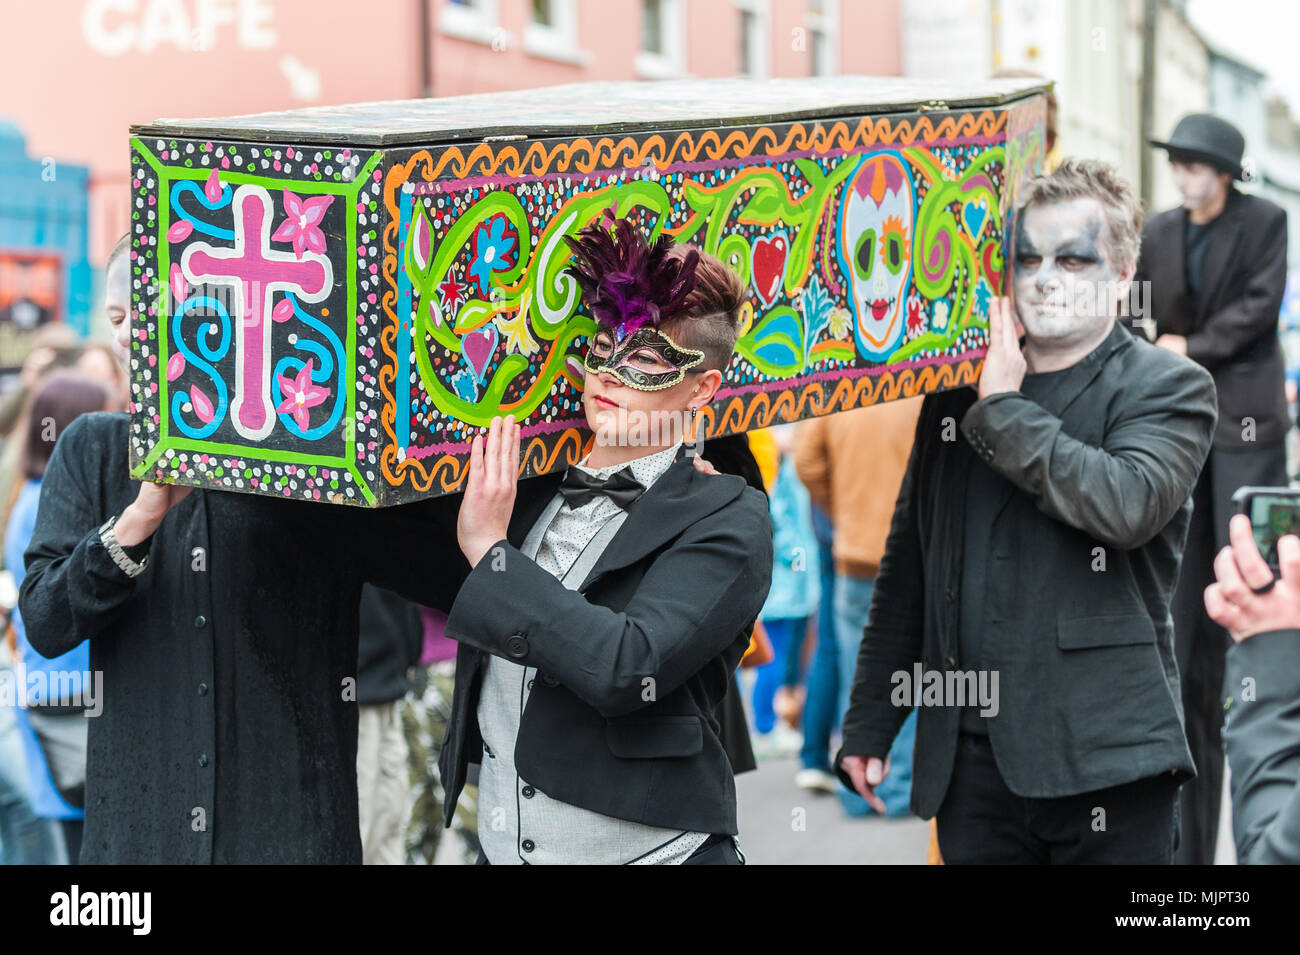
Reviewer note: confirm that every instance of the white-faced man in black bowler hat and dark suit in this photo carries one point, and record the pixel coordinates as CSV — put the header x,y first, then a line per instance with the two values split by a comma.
x,y
1216,268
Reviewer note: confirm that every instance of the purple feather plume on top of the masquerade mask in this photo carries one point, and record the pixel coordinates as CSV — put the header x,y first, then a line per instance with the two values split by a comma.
x,y
625,280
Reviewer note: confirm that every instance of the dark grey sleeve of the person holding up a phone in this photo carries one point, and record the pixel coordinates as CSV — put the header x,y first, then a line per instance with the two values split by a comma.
x,y
1263,736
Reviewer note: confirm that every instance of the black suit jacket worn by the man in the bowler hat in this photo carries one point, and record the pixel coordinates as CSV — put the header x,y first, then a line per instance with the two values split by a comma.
x,y
1233,328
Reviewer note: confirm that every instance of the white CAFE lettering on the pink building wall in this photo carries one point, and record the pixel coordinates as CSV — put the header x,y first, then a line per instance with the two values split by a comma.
x,y
116,28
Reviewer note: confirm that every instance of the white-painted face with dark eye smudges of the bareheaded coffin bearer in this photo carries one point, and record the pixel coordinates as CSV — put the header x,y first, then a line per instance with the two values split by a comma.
x,y
1068,285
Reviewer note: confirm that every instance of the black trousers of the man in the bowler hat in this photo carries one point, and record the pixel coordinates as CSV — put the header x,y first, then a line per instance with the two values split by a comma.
x,y
1201,645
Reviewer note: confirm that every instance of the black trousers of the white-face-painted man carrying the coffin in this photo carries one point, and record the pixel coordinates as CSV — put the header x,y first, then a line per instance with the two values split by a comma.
x,y
982,822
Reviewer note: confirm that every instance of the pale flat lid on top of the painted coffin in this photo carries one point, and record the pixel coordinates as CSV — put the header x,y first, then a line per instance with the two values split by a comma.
x,y
601,108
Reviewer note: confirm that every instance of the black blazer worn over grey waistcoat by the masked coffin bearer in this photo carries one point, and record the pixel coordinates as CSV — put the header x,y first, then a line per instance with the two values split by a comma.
x,y
632,665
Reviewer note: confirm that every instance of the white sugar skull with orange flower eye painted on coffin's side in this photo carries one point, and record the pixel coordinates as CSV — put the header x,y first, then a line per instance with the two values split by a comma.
x,y
876,250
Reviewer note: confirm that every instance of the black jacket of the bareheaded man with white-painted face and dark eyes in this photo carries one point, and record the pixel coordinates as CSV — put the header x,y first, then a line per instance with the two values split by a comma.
x,y
1087,681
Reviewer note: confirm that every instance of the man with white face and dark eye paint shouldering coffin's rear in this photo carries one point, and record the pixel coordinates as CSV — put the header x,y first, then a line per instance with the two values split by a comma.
x,y
1041,549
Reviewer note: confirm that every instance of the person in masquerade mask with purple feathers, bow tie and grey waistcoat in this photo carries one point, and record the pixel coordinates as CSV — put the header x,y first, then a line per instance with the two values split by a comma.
x,y
609,606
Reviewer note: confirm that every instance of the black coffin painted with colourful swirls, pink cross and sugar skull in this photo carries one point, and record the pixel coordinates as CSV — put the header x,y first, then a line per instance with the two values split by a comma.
x,y
330,303
